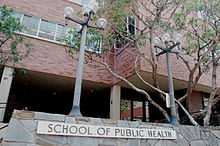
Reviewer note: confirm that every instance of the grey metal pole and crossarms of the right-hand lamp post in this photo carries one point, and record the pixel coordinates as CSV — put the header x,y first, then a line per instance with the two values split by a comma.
x,y
167,51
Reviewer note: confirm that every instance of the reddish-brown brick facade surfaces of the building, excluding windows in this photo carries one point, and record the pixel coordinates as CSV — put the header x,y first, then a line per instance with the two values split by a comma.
x,y
52,58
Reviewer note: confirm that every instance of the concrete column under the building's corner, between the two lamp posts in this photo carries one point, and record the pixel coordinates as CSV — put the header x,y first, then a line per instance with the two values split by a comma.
x,y
115,102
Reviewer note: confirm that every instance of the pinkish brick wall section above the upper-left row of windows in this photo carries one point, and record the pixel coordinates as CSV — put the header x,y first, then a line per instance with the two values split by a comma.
x,y
48,9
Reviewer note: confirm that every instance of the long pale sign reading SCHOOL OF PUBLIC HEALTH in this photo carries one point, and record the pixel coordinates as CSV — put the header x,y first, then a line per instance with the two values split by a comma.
x,y
64,129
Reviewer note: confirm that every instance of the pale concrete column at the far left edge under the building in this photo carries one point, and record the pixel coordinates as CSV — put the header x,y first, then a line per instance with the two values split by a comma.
x,y
5,86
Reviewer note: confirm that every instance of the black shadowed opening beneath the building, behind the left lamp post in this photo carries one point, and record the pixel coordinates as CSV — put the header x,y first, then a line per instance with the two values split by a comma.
x,y
30,96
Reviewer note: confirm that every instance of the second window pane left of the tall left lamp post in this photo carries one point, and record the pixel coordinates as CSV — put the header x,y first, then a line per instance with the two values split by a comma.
x,y
47,29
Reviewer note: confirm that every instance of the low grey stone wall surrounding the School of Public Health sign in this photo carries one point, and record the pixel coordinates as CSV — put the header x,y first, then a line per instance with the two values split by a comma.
x,y
22,131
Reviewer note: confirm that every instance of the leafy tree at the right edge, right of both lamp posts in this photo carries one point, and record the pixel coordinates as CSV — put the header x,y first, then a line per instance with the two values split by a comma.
x,y
200,22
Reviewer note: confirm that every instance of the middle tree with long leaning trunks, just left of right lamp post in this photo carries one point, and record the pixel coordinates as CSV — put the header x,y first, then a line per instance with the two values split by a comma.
x,y
155,19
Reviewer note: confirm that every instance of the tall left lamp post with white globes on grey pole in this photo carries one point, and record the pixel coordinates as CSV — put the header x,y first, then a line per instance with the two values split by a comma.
x,y
89,11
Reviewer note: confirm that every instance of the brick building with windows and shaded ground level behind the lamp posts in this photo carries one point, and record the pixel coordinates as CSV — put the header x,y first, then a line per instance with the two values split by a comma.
x,y
44,81
